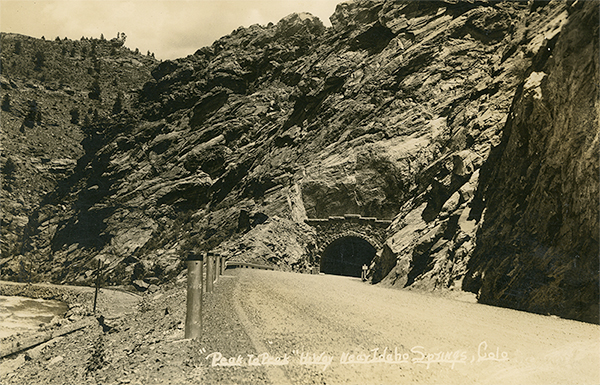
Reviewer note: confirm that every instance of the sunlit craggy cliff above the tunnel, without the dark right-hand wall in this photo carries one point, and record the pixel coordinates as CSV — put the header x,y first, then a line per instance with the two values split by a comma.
x,y
390,113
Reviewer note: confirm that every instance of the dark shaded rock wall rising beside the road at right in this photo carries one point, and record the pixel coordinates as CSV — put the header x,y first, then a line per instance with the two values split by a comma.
x,y
537,249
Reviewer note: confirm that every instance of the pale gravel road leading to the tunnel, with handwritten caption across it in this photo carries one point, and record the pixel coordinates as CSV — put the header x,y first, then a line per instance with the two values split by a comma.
x,y
338,330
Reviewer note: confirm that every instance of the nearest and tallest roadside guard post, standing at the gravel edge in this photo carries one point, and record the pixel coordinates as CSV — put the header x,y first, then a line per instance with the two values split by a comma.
x,y
193,317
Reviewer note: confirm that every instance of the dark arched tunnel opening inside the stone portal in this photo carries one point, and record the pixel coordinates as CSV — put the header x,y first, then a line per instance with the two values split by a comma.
x,y
346,256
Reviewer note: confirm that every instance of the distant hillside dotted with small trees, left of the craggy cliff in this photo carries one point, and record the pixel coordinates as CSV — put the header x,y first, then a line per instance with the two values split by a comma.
x,y
52,91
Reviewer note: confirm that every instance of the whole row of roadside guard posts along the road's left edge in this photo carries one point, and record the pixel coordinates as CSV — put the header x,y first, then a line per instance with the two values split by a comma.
x,y
215,266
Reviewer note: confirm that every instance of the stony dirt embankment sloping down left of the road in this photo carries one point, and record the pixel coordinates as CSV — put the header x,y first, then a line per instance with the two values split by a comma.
x,y
138,343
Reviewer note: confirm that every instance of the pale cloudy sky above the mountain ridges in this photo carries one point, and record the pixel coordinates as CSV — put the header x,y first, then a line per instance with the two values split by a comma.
x,y
169,28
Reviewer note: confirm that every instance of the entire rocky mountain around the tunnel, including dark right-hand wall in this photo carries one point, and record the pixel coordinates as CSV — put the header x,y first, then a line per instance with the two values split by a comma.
x,y
401,110
